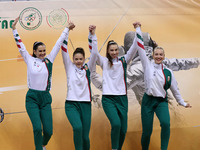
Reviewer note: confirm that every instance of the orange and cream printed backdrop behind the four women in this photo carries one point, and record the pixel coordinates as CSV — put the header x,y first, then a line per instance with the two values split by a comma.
x,y
174,24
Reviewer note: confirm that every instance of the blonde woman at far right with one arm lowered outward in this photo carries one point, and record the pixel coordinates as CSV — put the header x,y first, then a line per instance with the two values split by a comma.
x,y
158,79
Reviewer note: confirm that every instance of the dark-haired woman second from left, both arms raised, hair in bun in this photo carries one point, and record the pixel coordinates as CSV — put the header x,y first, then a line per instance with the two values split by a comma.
x,y
78,101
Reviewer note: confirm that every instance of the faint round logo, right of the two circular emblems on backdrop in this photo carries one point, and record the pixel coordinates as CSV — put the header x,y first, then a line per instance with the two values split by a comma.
x,y
57,18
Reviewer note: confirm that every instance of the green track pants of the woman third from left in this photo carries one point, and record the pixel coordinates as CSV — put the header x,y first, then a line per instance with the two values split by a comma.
x,y
116,109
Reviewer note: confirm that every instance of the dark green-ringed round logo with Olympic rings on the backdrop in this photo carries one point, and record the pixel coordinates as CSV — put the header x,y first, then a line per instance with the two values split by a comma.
x,y
30,18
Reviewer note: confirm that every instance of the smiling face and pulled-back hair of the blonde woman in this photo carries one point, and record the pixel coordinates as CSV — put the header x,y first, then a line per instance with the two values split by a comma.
x,y
158,55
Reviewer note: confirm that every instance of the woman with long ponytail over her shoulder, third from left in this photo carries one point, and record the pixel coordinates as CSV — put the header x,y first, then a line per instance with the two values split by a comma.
x,y
114,96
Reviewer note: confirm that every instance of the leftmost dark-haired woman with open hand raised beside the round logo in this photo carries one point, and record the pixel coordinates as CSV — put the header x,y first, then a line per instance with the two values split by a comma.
x,y
38,98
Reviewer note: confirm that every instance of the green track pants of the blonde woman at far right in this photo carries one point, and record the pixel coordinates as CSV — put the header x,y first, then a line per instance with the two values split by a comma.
x,y
158,105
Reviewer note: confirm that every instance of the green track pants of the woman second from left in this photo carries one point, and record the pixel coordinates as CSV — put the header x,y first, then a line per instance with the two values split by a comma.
x,y
79,116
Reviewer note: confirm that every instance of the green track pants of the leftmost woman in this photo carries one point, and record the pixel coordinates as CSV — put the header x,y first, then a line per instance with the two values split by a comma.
x,y
38,107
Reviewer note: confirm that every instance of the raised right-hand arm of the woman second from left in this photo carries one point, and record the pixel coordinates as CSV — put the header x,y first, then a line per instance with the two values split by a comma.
x,y
92,39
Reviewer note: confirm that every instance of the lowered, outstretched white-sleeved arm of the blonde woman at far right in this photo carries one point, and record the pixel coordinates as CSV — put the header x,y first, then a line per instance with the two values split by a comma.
x,y
176,93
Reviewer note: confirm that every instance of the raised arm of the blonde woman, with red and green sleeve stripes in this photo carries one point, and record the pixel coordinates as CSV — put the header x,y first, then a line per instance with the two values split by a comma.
x,y
140,44
